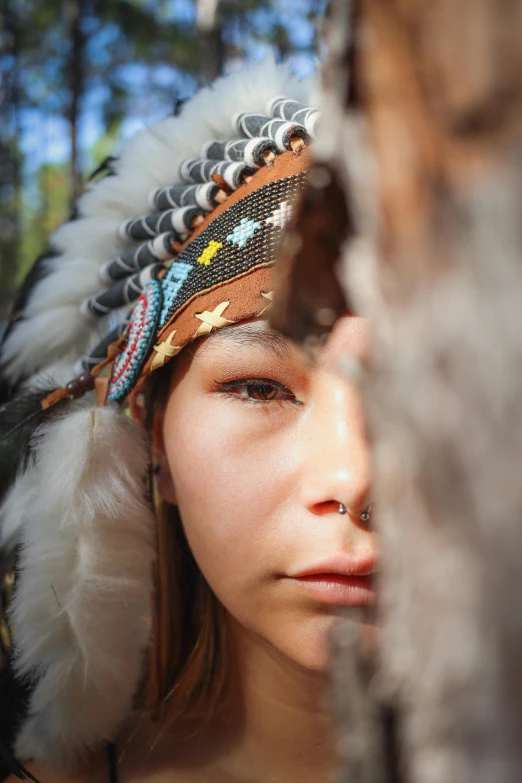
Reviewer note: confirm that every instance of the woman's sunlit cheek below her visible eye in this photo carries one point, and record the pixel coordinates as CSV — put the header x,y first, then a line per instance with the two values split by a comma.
x,y
233,471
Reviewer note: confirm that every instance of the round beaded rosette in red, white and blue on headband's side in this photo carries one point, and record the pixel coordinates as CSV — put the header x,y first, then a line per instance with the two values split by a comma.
x,y
140,338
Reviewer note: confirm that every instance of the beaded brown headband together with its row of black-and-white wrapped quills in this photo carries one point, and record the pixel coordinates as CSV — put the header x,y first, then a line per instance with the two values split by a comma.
x,y
220,226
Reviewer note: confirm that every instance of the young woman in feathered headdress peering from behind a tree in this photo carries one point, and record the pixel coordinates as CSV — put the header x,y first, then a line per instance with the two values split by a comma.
x,y
177,629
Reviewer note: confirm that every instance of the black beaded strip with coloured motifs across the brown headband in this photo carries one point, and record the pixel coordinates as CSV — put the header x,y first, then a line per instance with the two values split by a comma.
x,y
233,258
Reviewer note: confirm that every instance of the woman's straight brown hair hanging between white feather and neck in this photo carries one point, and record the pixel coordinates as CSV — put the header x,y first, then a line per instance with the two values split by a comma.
x,y
187,671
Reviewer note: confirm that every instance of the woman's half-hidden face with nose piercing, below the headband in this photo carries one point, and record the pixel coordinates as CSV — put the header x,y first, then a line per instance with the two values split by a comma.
x,y
262,448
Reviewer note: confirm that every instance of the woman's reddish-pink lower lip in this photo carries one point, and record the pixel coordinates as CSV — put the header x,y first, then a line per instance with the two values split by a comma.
x,y
338,590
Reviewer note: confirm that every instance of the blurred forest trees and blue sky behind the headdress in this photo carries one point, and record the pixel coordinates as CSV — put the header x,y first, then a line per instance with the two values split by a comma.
x,y
78,77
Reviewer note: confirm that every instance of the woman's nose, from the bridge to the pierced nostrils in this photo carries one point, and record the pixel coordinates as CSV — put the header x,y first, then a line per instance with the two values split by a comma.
x,y
337,466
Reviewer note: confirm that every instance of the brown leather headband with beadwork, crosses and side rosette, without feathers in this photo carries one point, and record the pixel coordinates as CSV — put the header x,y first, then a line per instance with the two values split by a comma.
x,y
220,277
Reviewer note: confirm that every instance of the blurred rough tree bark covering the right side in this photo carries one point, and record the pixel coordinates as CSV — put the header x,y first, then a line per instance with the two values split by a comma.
x,y
435,186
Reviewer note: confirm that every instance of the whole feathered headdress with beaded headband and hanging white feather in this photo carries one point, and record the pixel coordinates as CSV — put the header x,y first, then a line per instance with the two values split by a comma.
x,y
178,241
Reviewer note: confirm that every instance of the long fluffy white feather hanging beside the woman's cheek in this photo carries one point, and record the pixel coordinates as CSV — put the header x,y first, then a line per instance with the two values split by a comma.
x,y
82,602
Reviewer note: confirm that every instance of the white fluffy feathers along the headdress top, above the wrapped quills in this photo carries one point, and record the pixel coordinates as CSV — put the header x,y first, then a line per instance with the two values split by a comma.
x,y
53,326
